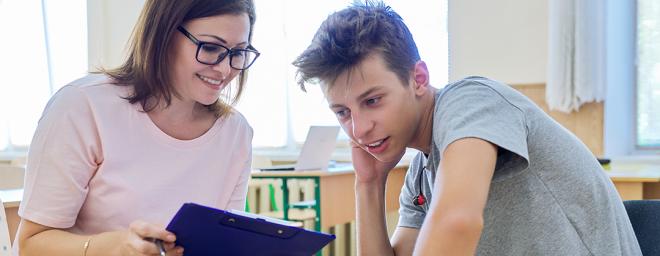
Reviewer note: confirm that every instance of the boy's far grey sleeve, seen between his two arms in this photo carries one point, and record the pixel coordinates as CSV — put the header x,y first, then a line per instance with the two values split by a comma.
x,y
410,215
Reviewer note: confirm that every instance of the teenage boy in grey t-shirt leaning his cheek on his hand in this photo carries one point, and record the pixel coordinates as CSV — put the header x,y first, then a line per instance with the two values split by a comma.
x,y
495,175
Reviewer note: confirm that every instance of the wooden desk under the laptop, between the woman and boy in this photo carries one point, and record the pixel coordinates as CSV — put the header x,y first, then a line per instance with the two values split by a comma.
x,y
335,193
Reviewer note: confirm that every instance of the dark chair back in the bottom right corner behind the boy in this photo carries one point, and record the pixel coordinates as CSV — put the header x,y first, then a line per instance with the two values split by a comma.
x,y
645,218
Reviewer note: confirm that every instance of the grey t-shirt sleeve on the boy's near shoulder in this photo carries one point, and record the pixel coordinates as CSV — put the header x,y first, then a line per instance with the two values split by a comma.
x,y
476,110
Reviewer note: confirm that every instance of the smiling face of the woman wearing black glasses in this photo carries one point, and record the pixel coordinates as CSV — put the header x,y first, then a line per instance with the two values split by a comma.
x,y
202,83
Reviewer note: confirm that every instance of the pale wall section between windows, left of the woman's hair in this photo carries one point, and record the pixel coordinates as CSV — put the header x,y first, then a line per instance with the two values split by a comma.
x,y
110,25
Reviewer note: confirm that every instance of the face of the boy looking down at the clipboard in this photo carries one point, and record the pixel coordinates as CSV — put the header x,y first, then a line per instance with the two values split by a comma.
x,y
374,108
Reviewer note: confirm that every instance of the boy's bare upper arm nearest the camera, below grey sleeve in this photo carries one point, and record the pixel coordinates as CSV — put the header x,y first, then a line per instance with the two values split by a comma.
x,y
455,220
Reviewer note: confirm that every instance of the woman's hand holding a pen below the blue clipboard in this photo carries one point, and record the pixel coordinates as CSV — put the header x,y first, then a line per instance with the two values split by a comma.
x,y
138,240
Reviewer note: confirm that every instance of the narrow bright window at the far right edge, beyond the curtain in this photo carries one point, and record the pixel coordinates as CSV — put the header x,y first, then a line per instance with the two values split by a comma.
x,y
648,74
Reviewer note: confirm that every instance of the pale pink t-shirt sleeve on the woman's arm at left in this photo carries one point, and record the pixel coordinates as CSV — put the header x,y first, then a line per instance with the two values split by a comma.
x,y
64,154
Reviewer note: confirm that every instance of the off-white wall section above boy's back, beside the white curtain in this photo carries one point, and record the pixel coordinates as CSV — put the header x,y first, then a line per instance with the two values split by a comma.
x,y
505,40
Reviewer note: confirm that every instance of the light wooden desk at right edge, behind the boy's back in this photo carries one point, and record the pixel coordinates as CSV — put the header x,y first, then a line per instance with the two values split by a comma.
x,y
637,184
